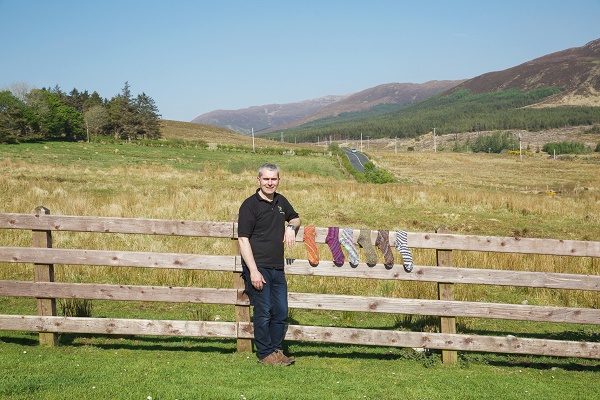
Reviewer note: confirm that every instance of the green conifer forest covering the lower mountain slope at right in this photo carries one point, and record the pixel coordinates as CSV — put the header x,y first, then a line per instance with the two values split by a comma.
x,y
460,111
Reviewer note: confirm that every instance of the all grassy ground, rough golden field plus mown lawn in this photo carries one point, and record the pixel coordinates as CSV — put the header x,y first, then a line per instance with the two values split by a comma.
x,y
481,194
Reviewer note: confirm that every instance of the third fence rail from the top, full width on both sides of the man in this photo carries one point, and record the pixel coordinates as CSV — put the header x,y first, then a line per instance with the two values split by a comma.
x,y
304,300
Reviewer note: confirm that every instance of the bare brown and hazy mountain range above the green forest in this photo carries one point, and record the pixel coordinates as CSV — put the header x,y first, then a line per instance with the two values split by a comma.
x,y
575,71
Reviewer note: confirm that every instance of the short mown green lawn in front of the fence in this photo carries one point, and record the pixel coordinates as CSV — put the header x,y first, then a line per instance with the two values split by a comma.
x,y
184,368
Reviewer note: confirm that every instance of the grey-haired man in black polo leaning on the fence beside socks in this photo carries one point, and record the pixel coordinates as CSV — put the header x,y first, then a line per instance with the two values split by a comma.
x,y
262,233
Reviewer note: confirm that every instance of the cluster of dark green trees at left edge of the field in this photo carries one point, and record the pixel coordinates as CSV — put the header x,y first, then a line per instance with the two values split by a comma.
x,y
28,114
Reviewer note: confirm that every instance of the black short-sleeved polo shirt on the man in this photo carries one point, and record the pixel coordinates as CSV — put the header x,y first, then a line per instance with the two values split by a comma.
x,y
263,222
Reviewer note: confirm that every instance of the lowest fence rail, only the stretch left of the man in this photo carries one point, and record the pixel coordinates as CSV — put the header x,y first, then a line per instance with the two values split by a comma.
x,y
116,326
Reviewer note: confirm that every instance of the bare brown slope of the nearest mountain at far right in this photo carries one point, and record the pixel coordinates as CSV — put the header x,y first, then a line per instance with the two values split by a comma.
x,y
576,70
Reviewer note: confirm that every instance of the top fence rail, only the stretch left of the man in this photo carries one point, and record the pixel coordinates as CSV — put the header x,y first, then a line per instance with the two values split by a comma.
x,y
116,225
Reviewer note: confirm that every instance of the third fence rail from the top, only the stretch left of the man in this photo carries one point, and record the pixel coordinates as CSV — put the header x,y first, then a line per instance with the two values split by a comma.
x,y
93,291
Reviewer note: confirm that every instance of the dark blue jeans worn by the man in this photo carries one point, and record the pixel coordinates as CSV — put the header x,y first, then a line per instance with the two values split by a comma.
x,y
270,310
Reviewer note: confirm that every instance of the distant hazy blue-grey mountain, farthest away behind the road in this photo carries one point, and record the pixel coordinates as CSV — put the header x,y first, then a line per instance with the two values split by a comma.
x,y
264,117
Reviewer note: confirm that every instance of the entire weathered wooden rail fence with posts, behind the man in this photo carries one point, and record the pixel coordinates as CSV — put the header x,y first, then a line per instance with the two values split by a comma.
x,y
46,290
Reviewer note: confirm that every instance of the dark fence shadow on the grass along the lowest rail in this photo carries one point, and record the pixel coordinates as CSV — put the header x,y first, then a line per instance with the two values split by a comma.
x,y
428,357
